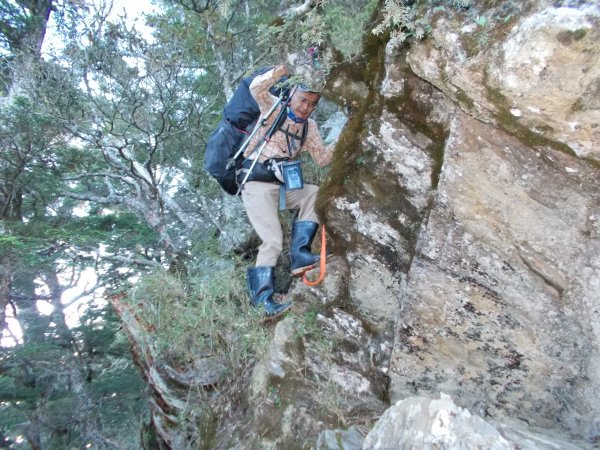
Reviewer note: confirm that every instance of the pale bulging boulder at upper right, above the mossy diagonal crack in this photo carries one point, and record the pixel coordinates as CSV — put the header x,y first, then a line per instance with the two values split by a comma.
x,y
540,75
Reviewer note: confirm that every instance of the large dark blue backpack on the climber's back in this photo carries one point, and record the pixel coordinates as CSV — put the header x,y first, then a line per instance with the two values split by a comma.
x,y
240,115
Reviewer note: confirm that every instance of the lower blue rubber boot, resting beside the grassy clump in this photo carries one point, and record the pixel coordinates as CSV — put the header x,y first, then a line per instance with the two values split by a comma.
x,y
261,284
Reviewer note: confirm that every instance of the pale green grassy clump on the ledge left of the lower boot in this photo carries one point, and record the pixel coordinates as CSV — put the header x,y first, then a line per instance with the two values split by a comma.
x,y
208,316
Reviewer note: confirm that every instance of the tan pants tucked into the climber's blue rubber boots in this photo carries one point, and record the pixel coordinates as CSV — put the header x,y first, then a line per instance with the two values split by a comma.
x,y
261,201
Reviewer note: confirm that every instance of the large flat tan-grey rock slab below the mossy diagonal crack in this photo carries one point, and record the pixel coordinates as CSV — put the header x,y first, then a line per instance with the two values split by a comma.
x,y
502,272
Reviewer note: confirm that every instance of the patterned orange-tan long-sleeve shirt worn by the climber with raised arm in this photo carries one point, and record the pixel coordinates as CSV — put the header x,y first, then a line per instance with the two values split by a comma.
x,y
277,146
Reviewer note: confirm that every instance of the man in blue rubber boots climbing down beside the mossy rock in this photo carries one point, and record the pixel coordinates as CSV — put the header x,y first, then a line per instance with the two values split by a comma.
x,y
266,188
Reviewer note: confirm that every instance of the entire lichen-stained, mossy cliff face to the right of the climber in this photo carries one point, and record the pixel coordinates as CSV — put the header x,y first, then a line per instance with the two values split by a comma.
x,y
464,211
